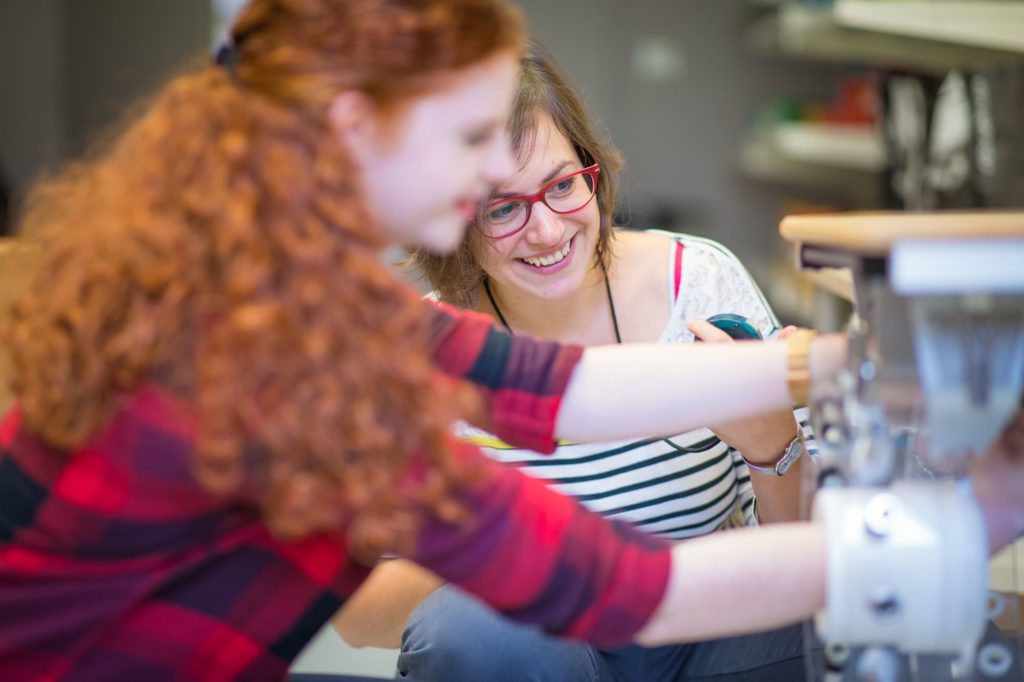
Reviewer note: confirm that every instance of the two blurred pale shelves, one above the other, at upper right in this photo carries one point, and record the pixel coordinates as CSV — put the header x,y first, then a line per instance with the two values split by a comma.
x,y
927,36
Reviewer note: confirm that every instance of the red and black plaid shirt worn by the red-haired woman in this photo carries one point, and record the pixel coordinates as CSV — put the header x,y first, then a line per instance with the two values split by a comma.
x,y
116,565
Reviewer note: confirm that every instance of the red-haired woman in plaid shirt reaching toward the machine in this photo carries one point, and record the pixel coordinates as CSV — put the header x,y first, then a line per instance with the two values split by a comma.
x,y
227,404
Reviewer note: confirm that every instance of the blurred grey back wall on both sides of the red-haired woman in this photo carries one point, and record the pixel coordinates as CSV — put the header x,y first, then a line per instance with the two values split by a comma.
x,y
70,67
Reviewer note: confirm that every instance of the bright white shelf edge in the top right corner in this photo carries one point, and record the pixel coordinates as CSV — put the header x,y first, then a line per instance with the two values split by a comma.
x,y
998,26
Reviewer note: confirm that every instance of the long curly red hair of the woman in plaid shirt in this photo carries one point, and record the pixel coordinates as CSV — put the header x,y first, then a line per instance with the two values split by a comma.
x,y
221,248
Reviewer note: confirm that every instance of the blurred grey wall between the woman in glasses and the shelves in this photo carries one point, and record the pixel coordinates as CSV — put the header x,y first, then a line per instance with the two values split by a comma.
x,y
680,138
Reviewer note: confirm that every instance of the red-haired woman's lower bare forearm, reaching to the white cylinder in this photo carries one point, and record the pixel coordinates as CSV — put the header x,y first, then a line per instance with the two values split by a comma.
x,y
740,582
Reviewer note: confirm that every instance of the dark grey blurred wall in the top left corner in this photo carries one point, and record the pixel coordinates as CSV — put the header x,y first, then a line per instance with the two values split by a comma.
x,y
69,68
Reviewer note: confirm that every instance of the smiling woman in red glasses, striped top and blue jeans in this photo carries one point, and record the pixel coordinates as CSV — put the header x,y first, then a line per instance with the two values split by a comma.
x,y
544,260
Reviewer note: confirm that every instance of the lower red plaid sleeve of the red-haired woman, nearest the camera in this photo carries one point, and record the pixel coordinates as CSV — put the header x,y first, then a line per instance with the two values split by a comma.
x,y
541,558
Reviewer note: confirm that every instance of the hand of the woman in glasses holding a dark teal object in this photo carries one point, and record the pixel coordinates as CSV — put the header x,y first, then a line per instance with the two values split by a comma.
x,y
763,439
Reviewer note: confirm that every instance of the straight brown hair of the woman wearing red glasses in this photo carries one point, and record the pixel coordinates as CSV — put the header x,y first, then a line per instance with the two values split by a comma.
x,y
543,89
